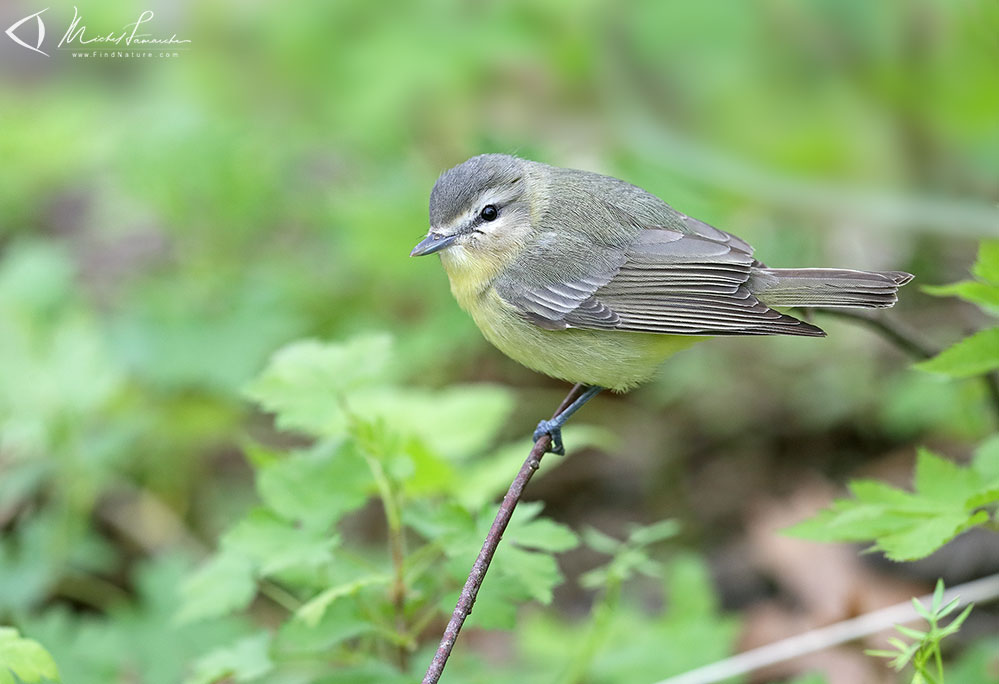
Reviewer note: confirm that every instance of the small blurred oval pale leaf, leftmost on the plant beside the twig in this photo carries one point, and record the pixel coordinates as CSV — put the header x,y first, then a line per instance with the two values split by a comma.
x,y
222,585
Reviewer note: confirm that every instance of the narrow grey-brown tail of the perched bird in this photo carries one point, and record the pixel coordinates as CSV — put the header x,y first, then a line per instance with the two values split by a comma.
x,y
827,287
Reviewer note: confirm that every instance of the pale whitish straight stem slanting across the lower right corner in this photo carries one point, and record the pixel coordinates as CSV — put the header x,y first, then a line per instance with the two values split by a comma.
x,y
980,590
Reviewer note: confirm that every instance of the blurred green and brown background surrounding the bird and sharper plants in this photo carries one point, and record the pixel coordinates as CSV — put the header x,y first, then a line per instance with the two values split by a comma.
x,y
167,223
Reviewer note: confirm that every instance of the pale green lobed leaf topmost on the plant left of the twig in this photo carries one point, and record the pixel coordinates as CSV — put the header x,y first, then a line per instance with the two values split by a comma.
x,y
305,382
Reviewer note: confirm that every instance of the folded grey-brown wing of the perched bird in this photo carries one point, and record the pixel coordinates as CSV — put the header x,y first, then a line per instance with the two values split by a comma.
x,y
663,281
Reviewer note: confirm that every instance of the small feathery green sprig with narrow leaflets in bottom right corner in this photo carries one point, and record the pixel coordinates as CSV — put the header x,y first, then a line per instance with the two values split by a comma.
x,y
924,651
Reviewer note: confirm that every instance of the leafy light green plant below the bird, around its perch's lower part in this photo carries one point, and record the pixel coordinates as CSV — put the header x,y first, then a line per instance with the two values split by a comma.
x,y
346,602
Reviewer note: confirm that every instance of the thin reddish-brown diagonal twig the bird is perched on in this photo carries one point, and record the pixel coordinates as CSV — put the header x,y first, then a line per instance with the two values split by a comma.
x,y
471,589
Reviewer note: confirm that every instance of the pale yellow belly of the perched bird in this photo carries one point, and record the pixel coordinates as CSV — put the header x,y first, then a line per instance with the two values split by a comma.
x,y
613,359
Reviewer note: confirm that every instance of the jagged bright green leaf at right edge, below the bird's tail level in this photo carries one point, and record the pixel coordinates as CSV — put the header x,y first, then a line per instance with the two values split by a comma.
x,y
947,500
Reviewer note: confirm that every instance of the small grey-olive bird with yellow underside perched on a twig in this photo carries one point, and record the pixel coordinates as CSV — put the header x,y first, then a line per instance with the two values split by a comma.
x,y
590,279
